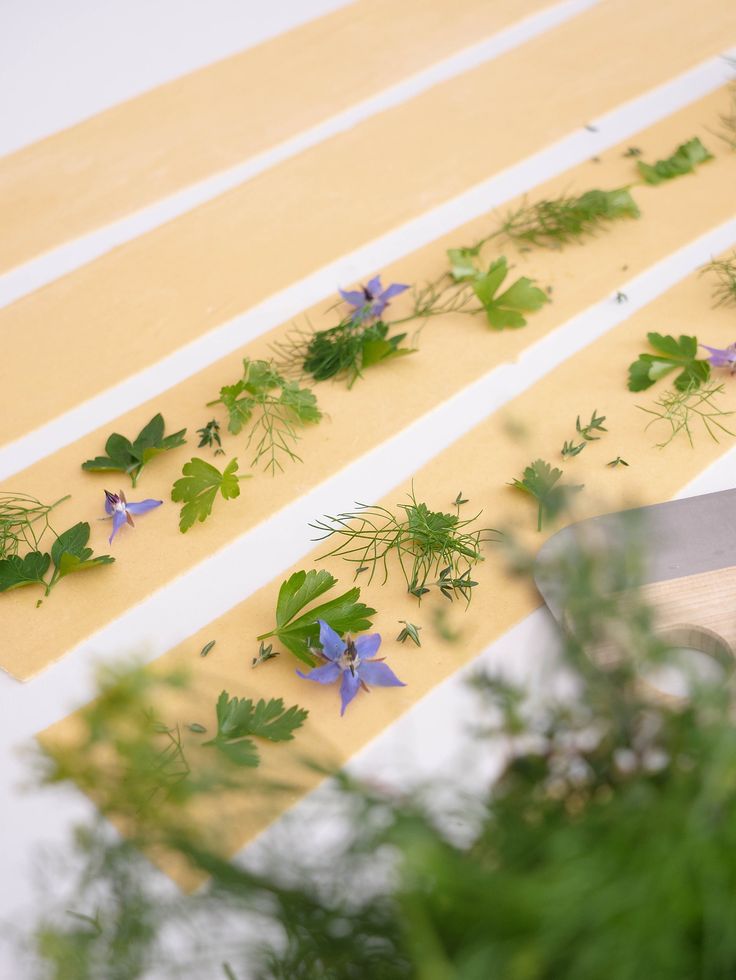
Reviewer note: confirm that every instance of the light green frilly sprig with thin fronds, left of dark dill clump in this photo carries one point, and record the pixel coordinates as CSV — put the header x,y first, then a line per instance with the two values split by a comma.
x,y
274,409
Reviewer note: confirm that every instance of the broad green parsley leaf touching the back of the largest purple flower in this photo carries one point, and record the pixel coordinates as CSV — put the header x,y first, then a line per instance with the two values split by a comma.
x,y
344,613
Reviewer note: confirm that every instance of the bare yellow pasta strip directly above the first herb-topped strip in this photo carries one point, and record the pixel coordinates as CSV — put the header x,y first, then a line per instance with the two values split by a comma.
x,y
152,296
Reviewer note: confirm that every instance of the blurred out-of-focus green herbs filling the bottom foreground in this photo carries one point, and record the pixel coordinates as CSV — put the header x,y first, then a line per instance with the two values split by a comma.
x,y
605,850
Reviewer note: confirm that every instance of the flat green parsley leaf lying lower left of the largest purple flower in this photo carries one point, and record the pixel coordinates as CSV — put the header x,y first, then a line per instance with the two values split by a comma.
x,y
239,721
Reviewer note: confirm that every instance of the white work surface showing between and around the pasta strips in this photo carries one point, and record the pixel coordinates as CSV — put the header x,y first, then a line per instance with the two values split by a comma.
x,y
60,63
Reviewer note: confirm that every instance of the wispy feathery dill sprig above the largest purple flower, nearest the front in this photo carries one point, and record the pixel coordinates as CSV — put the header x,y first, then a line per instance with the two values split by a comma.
x,y
432,547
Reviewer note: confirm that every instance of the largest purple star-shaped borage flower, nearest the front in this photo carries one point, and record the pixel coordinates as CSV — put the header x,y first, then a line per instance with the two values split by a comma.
x,y
352,660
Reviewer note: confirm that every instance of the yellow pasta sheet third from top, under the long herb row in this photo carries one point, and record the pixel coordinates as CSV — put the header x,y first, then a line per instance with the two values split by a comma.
x,y
454,351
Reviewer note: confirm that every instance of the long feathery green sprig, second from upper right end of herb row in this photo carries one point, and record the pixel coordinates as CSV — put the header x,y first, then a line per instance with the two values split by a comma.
x,y
554,222
